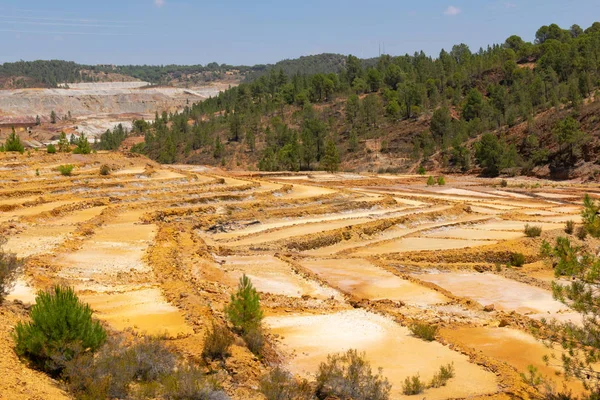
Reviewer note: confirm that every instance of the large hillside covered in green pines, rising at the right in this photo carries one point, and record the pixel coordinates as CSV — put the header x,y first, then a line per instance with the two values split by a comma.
x,y
520,107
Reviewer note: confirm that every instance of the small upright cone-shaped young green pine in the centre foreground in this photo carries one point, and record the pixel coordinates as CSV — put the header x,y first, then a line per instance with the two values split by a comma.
x,y
244,310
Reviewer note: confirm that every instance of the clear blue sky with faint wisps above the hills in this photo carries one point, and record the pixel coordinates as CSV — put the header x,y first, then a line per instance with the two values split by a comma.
x,y
265,31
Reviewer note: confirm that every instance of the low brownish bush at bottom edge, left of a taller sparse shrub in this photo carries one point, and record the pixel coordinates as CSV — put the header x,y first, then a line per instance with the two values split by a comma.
x,y
281,385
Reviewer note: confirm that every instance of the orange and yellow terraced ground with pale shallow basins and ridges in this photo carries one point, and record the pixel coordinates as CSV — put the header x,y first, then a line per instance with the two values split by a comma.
x,y
340,260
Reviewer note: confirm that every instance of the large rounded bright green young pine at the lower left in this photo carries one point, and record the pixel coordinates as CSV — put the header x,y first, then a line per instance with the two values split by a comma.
x,y
61,326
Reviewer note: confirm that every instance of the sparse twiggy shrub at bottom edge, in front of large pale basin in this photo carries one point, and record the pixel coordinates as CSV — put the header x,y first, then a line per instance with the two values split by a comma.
x,y
349,376
